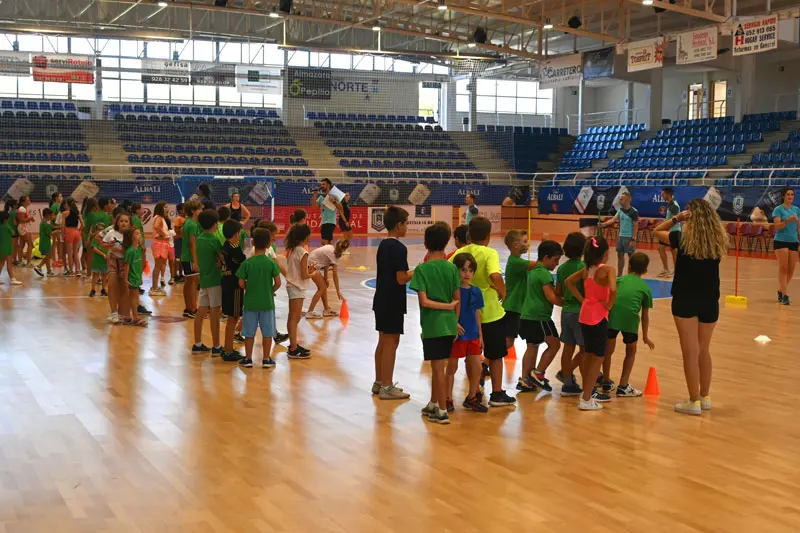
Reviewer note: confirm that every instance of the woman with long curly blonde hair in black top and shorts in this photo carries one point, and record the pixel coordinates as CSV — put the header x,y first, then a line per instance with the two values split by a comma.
x,y
701,245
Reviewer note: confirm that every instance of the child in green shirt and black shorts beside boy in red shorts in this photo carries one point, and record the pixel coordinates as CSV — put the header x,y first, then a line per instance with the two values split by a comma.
x,y
438,285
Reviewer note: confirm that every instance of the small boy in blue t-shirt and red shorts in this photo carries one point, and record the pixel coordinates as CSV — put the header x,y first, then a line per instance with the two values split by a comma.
x,y
469,343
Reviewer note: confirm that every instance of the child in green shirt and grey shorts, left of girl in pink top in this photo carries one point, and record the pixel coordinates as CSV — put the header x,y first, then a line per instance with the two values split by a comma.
x,y
571,335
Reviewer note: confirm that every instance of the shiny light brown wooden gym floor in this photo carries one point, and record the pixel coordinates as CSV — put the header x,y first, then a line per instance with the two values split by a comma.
x,y
119,429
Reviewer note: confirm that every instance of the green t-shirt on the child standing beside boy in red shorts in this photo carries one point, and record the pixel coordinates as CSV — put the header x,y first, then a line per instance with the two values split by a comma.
x,y
439,279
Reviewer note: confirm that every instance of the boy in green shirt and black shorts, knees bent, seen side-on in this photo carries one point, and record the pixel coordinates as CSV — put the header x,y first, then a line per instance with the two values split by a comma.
x,y
536,324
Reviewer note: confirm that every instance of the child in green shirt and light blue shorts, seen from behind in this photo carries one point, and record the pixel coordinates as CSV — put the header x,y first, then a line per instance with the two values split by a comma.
x,y
259,277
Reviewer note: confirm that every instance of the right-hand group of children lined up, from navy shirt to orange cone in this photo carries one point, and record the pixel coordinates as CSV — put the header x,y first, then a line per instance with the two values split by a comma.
x,y
467,307
